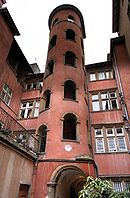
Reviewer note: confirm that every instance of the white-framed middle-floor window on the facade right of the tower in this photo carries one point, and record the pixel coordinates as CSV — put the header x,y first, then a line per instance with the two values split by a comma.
x,y
103,101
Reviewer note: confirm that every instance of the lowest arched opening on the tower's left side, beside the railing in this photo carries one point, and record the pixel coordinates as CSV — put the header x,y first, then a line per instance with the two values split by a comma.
x,y
42,134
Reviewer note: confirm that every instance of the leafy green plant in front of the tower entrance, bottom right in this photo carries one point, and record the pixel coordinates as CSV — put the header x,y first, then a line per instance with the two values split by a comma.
x,y
98,188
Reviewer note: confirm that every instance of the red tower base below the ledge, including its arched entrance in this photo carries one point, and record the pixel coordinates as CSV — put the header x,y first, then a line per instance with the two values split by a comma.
x,y
56,178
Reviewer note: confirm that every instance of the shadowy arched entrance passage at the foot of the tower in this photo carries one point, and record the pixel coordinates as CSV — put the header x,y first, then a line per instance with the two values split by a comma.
x,y
69,180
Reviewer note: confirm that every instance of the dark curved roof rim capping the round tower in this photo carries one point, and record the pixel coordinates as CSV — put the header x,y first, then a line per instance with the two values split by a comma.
x,y
68,6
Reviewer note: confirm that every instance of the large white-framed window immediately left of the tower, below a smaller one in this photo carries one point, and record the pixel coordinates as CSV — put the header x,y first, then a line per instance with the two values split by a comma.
x,y
29,109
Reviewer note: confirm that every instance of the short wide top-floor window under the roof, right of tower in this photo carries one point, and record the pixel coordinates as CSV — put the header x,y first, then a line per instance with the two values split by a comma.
x,y
101,75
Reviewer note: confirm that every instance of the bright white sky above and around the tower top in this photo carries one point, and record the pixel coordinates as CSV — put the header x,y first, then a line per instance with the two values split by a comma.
x,y
31,19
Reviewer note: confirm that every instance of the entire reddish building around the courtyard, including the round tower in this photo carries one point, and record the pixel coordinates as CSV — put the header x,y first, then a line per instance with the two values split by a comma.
x,y
69,122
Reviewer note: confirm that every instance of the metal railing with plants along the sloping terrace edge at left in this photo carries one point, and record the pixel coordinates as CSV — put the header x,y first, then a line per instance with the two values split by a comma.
x,y
16,132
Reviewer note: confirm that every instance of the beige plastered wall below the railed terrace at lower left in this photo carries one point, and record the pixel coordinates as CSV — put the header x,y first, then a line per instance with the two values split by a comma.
x,y
14,169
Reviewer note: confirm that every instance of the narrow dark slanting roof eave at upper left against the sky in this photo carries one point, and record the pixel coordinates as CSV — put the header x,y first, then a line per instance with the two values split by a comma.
x,y
6,15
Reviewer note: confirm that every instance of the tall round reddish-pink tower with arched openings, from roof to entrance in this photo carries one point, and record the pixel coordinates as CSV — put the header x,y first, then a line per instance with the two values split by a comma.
x,y
65,156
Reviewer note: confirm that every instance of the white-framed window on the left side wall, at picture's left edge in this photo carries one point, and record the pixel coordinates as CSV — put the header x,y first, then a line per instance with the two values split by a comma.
x,y
6,94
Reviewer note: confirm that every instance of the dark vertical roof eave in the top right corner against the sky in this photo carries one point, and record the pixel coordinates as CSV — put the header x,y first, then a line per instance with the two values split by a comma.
x,y
115,15
